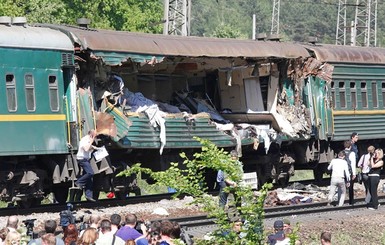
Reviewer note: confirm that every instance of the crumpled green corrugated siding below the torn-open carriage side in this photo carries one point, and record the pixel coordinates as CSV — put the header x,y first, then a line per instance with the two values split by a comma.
x,y
179,134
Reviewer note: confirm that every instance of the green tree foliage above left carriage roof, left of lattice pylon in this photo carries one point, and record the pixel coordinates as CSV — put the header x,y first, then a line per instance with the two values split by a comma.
x,y
126,15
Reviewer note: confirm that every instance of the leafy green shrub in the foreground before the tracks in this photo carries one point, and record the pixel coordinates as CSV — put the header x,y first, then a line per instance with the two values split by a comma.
x,y
189,179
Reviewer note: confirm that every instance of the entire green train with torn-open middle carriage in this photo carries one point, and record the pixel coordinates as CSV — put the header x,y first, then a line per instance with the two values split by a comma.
x,y
283,106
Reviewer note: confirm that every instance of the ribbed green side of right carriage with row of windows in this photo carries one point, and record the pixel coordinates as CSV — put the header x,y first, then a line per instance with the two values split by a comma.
x,y
362,86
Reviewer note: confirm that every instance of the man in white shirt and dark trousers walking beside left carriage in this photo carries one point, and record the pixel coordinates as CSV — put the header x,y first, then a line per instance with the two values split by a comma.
x,y
83,157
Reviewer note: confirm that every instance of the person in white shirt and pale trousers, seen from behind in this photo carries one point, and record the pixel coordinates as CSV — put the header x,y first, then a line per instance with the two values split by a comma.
x,y
340,176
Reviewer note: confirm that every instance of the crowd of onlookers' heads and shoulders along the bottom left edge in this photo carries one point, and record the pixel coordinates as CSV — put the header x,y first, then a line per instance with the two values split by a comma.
x,y
98,231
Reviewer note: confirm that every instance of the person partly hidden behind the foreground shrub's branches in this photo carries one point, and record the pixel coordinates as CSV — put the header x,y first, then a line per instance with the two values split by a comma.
x,y
224,181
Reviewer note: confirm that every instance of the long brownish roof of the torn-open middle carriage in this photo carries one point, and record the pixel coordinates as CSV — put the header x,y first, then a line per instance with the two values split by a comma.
x,y
165,45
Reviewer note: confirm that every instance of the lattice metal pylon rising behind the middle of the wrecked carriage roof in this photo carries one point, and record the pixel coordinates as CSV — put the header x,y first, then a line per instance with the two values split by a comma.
x,y
177,17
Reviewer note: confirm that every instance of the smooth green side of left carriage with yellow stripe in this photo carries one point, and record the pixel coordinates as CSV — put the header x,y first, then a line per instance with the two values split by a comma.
x,y
41,131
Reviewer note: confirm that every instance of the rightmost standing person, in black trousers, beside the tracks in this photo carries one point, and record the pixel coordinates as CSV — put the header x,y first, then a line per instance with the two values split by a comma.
x,y
376,163
